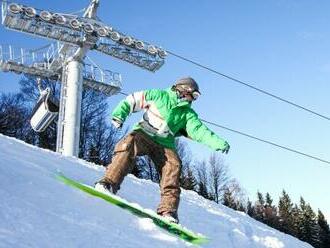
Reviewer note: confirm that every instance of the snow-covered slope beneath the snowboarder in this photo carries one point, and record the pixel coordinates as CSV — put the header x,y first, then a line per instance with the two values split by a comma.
x,y
36,210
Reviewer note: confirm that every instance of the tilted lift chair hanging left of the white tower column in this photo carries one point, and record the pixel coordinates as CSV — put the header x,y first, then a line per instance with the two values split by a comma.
x,y
45,110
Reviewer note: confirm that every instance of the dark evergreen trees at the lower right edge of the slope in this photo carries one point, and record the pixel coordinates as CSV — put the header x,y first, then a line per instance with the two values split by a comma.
x,y
298,220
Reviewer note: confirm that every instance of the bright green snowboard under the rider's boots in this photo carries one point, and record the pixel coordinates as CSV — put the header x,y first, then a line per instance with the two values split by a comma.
x,y
172,228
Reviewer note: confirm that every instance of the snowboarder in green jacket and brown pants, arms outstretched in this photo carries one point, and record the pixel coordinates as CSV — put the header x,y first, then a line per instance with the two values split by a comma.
x,y
167,115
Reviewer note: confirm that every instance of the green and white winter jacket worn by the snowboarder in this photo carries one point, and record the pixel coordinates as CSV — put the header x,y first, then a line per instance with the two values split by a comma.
x,y
166,117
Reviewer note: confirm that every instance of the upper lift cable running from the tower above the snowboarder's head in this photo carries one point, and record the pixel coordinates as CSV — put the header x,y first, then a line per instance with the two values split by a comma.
x,y
249,86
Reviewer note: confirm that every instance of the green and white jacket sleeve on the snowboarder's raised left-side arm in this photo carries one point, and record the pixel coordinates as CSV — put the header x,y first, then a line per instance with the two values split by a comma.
x,y
133,103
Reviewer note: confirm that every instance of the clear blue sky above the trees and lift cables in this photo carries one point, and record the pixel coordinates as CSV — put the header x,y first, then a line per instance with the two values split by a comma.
x,y
280,46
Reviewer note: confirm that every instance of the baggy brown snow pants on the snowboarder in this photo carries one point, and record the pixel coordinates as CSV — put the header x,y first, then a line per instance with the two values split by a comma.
x,y
166,160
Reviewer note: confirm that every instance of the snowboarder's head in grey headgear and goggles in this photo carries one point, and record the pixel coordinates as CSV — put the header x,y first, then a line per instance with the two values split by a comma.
x,y
186,86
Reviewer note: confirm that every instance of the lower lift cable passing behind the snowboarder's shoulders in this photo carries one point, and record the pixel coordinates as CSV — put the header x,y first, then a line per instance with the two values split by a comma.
x,y
259,139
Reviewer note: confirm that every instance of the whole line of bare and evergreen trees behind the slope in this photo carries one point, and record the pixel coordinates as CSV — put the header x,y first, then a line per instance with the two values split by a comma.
x,y
209,178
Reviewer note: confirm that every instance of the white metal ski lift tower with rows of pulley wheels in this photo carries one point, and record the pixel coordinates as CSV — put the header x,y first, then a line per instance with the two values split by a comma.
x,y
76,35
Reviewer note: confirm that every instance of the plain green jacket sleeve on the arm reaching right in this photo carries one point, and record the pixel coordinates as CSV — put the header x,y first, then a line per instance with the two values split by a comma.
x,y
199,132
